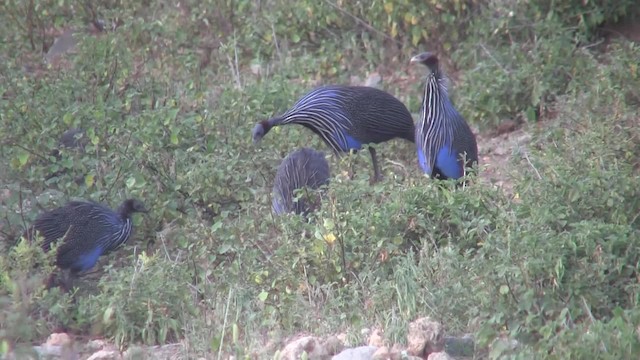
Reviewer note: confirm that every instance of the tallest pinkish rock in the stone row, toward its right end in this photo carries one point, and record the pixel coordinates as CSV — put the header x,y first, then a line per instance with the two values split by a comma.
x,y
424,337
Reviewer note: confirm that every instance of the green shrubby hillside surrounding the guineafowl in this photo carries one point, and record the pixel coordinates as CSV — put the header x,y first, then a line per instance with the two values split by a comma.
x,y
544,248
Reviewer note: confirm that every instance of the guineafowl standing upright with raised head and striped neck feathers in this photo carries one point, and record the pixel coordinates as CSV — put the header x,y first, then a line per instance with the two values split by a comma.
x,y
443,137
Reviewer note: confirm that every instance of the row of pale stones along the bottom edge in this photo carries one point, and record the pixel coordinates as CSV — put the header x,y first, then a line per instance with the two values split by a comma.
x,y
425,340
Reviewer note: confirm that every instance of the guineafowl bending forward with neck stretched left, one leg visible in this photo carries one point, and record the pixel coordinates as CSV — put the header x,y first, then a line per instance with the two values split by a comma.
x,y
346,118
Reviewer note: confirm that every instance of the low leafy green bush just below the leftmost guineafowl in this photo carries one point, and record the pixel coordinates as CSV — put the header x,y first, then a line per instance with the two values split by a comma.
x,y
148,304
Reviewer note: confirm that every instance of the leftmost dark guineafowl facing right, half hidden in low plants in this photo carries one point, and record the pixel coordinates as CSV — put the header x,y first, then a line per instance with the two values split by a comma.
x,y
86,230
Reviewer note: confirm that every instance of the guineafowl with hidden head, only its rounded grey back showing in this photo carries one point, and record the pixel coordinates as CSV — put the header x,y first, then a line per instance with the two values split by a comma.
x,y
302,168
